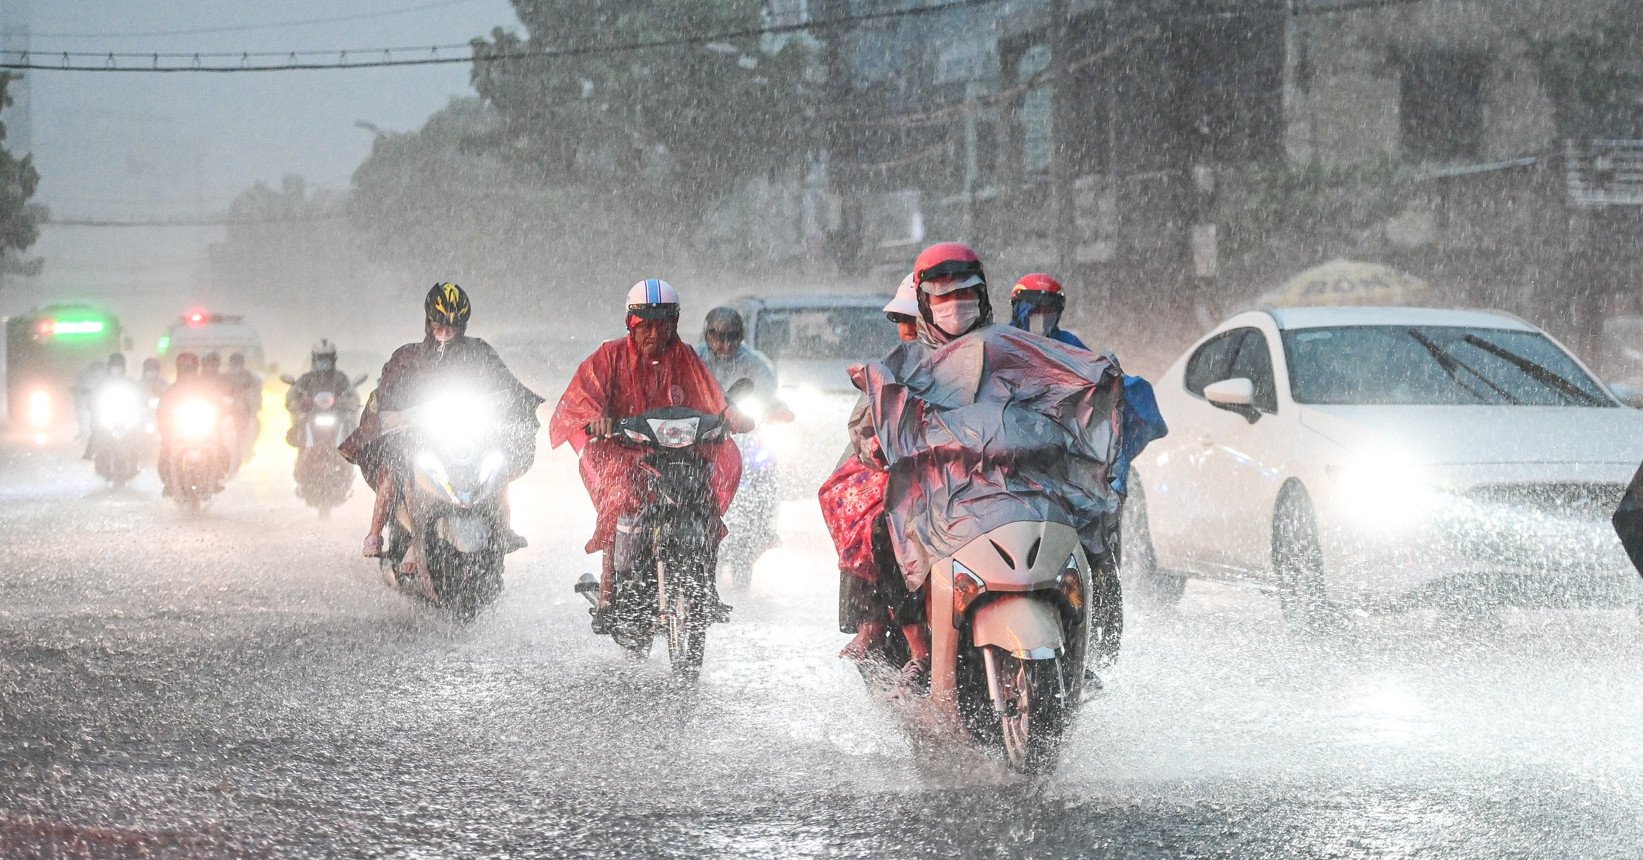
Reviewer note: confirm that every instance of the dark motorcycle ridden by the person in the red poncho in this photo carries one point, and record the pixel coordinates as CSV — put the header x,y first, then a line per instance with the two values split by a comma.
x,y
665,565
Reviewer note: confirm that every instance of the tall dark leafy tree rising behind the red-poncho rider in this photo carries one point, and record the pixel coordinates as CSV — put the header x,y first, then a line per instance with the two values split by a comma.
x,y
663,131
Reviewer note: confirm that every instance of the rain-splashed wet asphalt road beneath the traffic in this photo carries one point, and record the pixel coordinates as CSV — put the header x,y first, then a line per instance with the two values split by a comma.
x,y
242,685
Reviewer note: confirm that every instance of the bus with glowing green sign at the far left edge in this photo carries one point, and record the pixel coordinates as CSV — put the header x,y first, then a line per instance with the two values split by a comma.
x,y
45,351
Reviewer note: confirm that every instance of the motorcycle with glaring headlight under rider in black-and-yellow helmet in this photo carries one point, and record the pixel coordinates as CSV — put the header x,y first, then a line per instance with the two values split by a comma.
x,y
444,542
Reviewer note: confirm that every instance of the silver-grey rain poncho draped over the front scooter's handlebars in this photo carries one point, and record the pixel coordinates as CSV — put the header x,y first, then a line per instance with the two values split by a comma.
x,y
993,428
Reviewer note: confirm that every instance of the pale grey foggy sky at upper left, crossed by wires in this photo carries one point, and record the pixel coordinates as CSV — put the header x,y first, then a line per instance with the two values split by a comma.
x,y
142,147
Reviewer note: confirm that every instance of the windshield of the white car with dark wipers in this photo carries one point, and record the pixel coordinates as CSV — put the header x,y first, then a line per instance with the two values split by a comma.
x,y
1435,366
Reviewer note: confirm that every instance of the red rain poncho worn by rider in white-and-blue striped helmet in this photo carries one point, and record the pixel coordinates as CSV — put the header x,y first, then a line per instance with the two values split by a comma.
x,y
617,382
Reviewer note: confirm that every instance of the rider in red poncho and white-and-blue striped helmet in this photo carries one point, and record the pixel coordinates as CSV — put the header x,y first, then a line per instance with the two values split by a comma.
x,y
648,369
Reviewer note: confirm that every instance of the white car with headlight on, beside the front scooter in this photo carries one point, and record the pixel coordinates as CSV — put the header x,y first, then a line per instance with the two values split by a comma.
x,y
1384,460
